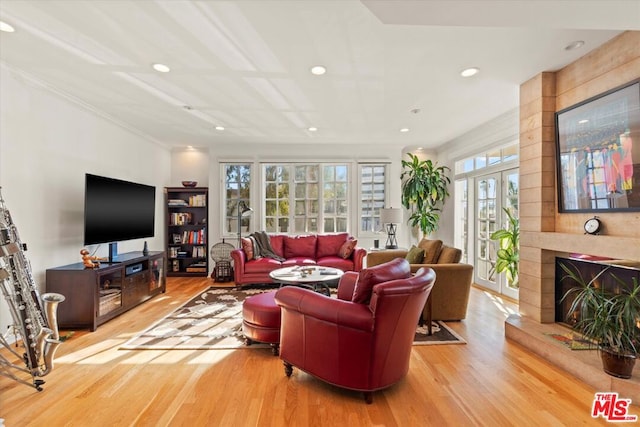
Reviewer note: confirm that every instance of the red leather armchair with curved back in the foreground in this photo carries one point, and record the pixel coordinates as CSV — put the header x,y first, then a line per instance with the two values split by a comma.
x,y
362,346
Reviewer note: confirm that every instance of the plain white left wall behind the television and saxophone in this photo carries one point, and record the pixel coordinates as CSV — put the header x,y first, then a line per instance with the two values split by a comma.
x,y
47,144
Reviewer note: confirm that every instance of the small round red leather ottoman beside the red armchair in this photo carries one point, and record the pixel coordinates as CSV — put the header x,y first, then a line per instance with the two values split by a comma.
x,y
261,320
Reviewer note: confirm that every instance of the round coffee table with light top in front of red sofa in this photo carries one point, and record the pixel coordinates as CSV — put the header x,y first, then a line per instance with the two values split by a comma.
x,y
311,277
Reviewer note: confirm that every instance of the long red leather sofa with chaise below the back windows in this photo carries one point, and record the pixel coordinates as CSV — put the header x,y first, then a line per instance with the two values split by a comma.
x,y
318,249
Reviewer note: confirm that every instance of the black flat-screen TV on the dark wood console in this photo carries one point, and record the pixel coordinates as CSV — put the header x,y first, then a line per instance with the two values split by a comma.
x,y
116,210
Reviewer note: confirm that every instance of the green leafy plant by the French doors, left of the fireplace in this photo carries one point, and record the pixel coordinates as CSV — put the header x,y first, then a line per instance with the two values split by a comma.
x,y
508,256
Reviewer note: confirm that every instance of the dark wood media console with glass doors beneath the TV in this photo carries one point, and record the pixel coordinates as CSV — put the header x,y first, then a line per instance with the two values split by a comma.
x,y
95,296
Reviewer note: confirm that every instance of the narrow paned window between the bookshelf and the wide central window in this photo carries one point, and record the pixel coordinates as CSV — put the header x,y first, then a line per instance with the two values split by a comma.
x,y
237,184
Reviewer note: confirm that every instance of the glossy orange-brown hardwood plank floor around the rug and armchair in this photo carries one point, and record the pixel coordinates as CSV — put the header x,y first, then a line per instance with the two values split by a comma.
x,y
489,381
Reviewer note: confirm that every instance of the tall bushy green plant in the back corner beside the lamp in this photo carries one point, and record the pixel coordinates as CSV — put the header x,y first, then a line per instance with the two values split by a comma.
x,y
424,190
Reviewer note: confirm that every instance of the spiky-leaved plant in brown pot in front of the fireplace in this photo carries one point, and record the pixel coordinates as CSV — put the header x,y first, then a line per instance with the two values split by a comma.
x,y
609,319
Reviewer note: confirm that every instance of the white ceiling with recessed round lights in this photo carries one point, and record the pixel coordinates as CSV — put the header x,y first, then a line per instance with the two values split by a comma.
x,y
245,65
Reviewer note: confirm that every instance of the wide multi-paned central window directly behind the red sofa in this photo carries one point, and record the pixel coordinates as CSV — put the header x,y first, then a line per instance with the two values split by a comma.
x,y
318,194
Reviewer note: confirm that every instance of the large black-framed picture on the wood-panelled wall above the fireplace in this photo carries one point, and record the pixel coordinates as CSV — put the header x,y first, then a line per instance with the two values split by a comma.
x,y
598,152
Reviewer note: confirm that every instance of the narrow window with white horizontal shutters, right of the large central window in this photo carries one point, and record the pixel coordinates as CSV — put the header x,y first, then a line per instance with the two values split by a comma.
x,y
373,178
